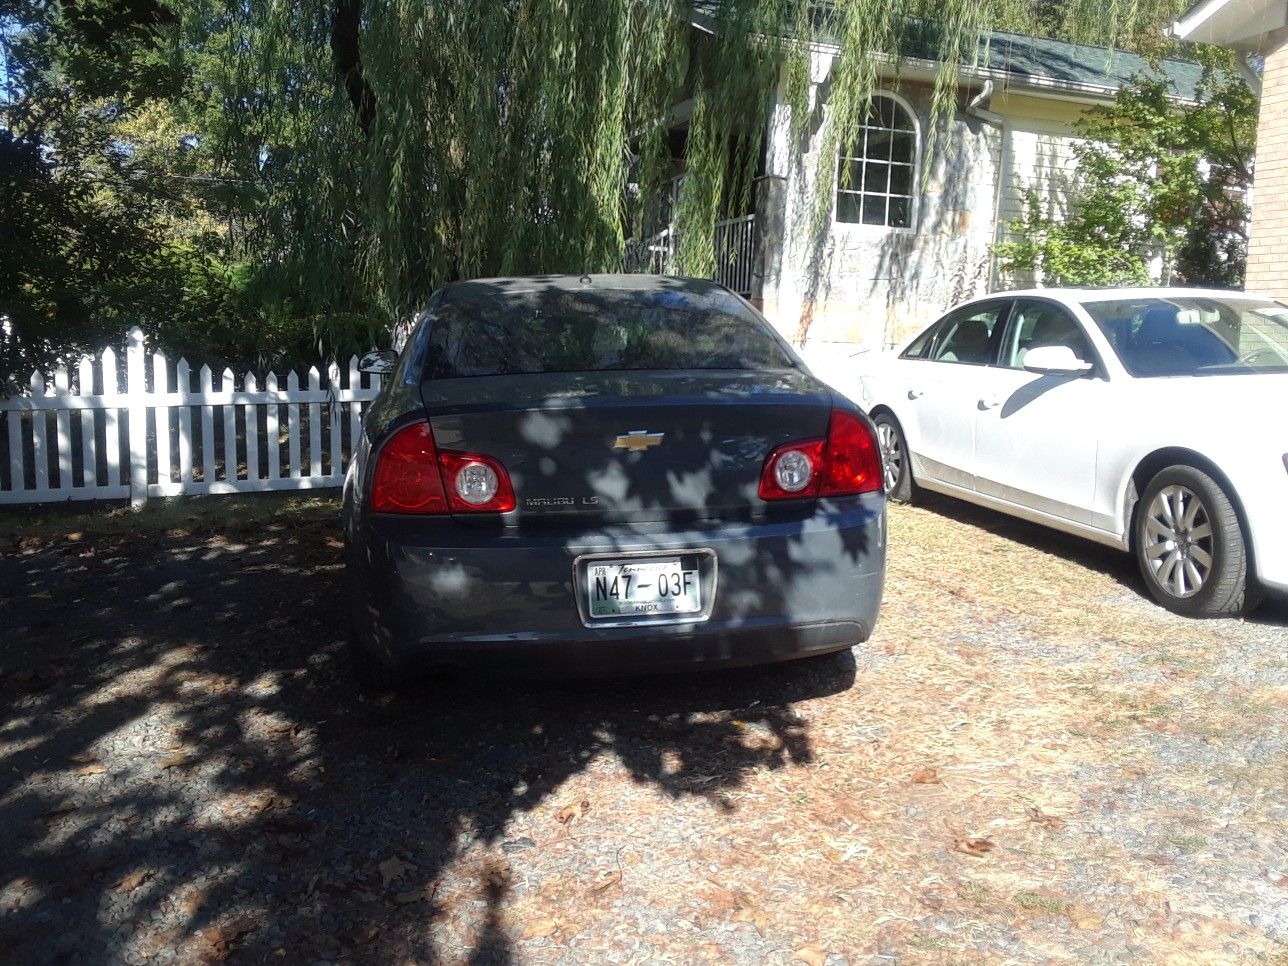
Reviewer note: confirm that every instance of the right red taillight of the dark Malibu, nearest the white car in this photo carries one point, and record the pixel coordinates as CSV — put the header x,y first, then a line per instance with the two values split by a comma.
x,y
846,464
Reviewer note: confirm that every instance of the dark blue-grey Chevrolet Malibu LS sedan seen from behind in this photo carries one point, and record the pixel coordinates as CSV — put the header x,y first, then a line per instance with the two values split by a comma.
x,y
606,475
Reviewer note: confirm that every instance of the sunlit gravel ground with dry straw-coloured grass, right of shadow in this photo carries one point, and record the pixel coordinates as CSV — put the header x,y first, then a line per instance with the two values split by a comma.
x,y
1036,686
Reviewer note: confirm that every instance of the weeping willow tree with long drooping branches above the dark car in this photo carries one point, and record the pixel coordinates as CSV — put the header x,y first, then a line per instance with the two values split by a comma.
x,y
404,144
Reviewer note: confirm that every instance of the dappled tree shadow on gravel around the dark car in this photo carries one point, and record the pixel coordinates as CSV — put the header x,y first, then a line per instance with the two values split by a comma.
x,y
186,764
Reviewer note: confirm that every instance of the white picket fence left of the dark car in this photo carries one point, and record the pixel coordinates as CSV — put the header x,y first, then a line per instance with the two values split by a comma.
x,y
96,436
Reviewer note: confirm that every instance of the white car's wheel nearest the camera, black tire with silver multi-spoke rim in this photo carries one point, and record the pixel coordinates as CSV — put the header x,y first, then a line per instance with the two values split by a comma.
x,y
1207,542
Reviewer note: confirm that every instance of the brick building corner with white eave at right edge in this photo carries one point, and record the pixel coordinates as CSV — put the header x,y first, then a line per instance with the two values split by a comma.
x,y
1258,30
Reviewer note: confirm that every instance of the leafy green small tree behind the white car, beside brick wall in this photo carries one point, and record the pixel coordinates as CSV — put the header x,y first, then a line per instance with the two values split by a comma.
x,y
1159,178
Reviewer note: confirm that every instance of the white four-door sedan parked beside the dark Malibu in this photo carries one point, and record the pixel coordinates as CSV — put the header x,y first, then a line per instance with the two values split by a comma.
x,y
1155,421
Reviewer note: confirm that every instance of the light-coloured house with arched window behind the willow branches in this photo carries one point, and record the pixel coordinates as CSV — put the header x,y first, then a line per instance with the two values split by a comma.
x,y
897,248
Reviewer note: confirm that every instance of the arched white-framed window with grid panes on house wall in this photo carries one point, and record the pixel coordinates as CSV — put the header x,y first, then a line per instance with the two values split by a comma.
x,y
876,176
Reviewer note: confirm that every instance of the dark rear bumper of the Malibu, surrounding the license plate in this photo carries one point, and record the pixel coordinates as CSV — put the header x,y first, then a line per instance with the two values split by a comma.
x,y
436,592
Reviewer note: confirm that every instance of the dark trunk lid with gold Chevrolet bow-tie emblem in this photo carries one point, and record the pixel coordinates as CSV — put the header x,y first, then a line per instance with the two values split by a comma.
x,y
636,446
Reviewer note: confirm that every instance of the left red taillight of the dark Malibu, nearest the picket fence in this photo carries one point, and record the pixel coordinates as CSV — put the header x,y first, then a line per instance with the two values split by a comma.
x,y
414,477
